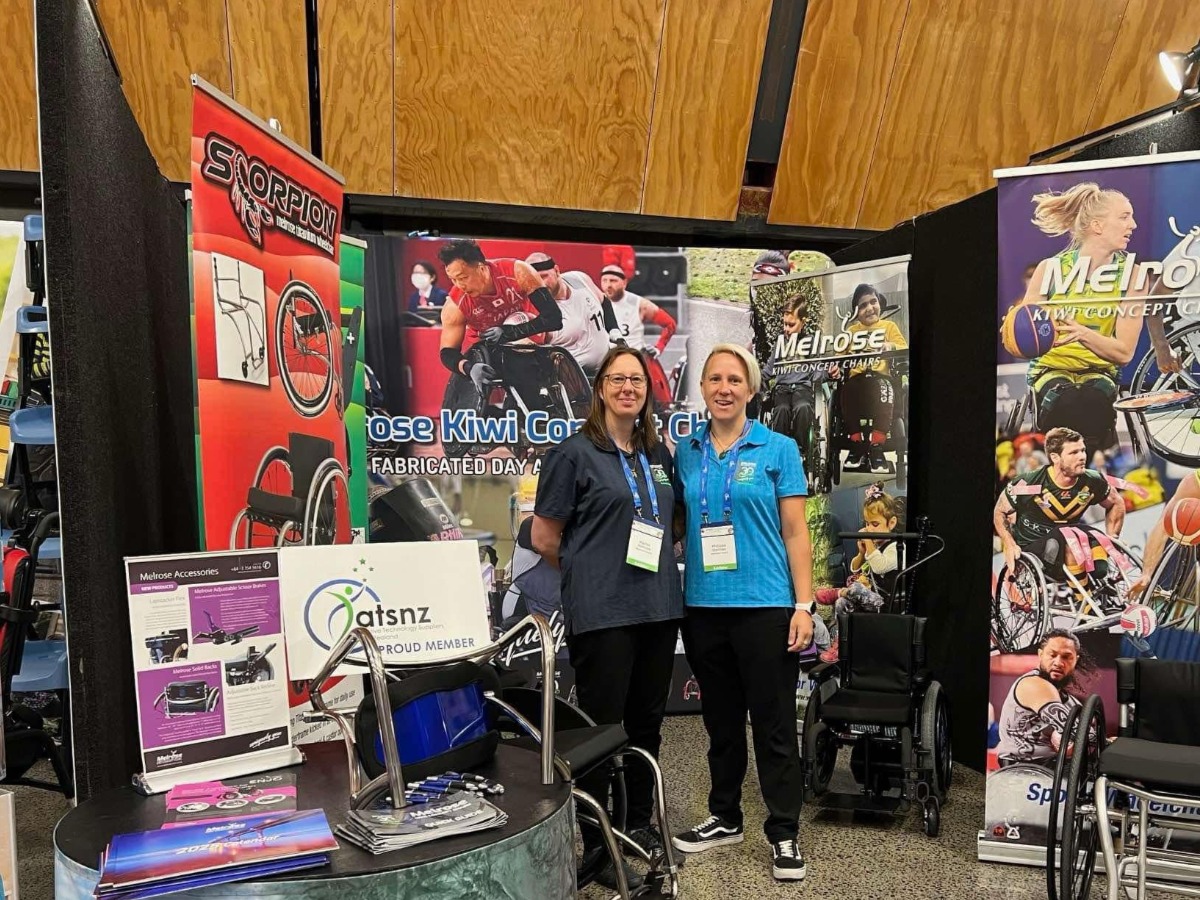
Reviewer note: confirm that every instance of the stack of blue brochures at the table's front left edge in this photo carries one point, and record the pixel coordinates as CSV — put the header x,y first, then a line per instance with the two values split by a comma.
x,y
147,865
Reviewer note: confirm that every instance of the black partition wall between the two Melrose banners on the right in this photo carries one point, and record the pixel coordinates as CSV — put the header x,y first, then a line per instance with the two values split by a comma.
x,y
952,413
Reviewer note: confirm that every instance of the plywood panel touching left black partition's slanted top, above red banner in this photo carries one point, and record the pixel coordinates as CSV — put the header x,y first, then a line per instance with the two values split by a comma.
x,y
159,45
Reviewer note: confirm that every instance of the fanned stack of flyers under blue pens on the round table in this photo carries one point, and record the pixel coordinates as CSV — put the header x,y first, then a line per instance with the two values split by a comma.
x,y
380,829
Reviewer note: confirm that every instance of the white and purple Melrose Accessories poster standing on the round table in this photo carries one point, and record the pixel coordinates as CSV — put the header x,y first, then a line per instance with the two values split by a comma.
x,y
209,665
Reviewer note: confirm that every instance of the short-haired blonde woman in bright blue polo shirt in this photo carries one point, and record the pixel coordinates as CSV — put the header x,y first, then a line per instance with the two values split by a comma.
x,y
748,586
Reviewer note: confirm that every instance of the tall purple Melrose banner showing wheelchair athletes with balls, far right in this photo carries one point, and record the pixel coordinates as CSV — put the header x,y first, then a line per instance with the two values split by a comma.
x,y
1097,459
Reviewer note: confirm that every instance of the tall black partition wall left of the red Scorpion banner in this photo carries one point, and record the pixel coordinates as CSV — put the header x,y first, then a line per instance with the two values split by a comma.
x,y
121,343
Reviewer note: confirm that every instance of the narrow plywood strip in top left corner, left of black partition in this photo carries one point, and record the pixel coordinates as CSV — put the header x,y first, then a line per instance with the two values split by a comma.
x,y
19,92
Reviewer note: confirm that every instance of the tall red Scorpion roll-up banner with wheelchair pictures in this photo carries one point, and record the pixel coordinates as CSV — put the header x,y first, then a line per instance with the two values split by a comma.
x,y
272,439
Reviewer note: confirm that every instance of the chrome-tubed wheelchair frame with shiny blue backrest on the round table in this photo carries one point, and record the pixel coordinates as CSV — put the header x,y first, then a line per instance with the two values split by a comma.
x,y
418,722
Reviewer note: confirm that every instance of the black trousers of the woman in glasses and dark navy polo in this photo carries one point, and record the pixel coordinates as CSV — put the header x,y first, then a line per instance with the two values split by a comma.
x,y
623,677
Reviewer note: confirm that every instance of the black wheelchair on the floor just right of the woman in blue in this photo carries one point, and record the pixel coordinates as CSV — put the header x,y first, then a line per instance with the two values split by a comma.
x,y
883,703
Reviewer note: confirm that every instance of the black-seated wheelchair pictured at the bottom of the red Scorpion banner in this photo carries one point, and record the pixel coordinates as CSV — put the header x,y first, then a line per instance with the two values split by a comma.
x,y
301,496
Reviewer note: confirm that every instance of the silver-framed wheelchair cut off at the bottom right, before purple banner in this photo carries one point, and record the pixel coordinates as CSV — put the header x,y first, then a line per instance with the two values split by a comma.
x,y
1125,794
